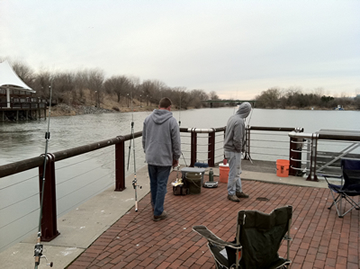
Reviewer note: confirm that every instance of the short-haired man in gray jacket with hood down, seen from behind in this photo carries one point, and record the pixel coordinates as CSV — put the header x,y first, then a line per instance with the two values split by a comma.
x,y
162,146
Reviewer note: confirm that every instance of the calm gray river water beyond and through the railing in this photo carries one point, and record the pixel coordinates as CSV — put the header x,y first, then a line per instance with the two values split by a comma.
x,y
19,200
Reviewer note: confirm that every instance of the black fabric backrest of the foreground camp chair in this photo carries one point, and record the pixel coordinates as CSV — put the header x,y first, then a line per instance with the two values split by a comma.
x,y
261,234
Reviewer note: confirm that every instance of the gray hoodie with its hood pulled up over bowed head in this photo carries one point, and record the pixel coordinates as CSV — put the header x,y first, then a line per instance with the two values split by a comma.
x,y
235,129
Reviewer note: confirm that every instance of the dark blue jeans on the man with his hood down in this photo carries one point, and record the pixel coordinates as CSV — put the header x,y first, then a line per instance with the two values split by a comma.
x,y
159,176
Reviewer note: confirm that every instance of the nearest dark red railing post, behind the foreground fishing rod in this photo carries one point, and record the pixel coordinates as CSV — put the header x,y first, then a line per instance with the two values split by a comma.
x,y
49,217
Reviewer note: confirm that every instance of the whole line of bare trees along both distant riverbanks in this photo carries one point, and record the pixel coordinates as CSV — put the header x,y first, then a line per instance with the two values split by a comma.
x,y
69,88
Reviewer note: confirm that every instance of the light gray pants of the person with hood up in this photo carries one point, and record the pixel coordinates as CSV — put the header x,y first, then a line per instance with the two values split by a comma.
x,y
234,181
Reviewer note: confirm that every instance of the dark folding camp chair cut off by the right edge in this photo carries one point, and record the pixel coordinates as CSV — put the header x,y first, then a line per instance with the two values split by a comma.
x,y
349,187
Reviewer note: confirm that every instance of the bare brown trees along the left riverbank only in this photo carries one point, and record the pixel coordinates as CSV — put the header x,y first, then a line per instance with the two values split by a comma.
x,y
69,88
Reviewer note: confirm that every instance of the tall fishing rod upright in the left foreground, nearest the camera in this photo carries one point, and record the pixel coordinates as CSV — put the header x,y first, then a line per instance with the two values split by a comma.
x,y
39,247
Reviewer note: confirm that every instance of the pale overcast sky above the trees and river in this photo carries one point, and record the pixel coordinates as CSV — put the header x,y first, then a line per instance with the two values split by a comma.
x,y
237,48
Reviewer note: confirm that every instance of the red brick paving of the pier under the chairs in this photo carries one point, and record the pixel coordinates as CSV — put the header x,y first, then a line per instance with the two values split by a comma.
x,y
320,238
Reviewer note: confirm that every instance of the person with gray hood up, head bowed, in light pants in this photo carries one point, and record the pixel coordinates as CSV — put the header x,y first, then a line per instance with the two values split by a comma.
x,y
234,144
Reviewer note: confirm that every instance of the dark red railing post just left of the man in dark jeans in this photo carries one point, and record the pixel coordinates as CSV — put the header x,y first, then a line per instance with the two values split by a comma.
x,y
120,166
